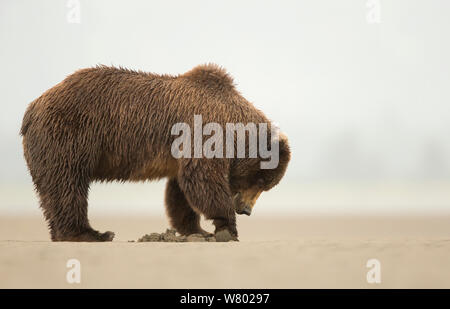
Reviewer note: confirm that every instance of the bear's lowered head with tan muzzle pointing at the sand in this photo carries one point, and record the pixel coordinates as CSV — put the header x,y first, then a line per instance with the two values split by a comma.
x,y
248,180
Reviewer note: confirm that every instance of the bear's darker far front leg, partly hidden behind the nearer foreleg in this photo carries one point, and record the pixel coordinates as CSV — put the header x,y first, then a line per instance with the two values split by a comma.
x,y
181,215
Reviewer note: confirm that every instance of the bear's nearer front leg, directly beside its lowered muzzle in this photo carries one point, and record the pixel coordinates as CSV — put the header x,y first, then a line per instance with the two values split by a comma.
x,y
204,183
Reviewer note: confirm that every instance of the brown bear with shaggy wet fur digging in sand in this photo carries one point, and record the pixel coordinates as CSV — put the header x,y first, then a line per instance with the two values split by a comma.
x,y
106,123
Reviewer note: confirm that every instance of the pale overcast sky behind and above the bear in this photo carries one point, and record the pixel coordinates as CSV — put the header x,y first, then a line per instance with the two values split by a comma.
x,y
359,98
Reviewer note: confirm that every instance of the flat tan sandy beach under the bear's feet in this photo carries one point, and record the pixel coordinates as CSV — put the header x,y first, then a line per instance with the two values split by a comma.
x,y
273,252
